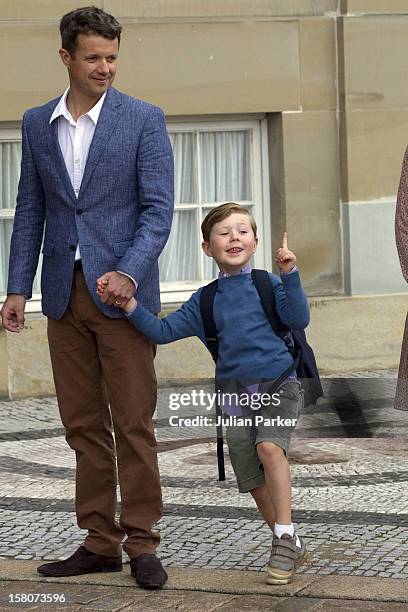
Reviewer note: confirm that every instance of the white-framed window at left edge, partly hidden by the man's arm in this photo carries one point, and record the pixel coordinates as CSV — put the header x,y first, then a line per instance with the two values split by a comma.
x,y
10,158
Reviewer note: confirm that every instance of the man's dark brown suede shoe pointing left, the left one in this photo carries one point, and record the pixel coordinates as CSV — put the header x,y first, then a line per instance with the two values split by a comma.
x,y
83,561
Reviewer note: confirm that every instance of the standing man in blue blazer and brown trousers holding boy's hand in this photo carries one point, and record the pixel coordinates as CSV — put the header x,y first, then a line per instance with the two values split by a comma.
x,y
97,168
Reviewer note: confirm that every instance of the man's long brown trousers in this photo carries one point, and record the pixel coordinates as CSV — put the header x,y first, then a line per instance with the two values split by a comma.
x,y
99,363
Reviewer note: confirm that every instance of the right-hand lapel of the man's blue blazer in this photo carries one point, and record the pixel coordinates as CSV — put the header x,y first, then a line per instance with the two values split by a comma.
x,y
107,121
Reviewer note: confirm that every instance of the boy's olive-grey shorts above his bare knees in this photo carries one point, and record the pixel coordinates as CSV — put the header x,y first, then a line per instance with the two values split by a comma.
x,y
271,424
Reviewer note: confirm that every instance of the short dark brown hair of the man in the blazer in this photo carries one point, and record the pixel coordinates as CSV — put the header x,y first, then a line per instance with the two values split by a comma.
x,y
87,20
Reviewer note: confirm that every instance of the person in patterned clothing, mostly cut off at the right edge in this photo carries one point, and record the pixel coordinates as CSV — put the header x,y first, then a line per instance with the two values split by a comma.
x,y
401,236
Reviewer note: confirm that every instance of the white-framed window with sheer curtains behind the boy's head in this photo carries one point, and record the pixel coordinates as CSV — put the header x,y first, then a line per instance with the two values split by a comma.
x,y
214,163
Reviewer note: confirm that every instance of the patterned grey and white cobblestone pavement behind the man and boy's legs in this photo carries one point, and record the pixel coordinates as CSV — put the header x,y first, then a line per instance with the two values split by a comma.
x,y
350,495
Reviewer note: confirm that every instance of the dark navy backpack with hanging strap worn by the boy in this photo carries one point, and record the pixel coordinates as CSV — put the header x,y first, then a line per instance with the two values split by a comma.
x,y
302,353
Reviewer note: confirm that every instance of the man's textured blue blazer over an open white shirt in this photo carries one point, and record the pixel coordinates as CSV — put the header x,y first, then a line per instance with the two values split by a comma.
x,y
121,217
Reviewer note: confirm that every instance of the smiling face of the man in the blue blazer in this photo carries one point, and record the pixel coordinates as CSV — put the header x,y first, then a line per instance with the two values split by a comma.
x,y
92,69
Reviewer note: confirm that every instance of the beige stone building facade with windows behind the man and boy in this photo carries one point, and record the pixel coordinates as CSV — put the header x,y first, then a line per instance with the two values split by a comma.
x,y
296,108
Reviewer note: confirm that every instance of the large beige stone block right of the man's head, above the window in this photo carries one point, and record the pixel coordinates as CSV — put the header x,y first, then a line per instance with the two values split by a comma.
x,y
228,67
